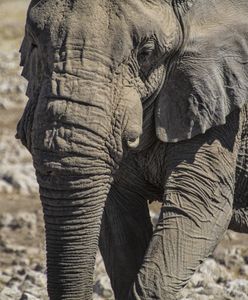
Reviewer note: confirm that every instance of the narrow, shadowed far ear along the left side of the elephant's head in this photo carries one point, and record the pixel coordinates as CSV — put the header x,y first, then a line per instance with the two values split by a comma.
x,y
32,71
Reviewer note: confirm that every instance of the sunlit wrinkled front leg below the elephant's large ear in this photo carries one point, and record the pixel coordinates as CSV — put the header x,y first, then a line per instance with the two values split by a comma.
x,y
196,212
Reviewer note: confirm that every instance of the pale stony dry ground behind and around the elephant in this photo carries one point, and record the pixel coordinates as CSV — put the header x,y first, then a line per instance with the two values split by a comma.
x,y
22,250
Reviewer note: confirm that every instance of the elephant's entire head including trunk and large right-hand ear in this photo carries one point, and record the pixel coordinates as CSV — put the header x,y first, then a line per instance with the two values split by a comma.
x,y
110,76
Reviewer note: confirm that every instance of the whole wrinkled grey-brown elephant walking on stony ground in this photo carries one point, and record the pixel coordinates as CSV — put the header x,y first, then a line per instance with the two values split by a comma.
x,y
132,101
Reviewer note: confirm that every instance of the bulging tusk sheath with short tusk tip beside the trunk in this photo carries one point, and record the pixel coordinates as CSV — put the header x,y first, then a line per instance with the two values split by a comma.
x,y
134,110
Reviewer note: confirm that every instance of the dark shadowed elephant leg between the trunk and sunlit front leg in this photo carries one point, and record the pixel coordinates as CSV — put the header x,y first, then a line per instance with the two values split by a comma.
x,y
125,234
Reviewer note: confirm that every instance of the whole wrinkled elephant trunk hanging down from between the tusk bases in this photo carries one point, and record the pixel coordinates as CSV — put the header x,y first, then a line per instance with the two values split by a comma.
x,y
75,147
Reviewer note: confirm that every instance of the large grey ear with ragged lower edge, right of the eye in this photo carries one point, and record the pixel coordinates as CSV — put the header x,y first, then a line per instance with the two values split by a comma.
x,y
208,78
